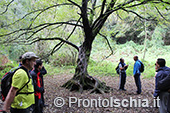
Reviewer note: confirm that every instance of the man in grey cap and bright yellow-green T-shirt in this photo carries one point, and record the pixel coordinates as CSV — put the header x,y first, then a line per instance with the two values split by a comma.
x,y
20,101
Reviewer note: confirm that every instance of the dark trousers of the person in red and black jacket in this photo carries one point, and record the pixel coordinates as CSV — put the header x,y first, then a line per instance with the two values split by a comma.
x,y
38,106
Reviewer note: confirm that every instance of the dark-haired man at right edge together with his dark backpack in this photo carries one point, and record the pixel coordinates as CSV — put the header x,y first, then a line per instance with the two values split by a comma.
x,y
162,85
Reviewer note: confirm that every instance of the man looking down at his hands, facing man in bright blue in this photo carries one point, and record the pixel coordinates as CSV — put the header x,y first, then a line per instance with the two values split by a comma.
x,y
122,72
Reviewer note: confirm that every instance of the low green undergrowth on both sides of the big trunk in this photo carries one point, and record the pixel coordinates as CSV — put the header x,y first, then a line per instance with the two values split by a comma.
x,y
99,65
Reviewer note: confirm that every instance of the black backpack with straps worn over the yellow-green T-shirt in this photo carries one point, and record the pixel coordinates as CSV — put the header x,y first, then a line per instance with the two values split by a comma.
x,y
6,82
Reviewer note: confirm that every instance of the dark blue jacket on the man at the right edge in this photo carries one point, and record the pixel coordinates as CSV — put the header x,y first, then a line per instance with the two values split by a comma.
x,y
162,72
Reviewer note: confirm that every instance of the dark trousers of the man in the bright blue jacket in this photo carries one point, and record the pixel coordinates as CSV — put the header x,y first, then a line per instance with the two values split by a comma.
x,y
138,83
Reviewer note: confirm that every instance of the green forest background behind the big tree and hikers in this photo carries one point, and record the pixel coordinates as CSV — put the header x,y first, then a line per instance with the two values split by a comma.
x,y
128,35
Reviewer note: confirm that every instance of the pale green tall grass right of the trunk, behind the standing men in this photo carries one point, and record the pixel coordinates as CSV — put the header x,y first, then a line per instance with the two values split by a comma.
x,y
127,51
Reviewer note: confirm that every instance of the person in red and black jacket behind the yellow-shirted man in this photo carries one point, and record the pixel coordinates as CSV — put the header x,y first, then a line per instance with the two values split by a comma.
x,y
38,86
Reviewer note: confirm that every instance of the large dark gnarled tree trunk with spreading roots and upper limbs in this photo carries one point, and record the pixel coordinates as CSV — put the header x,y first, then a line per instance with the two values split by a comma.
x,y
82,80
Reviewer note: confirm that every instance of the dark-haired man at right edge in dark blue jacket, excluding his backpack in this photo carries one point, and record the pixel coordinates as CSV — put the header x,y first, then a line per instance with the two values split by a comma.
x,y
162,72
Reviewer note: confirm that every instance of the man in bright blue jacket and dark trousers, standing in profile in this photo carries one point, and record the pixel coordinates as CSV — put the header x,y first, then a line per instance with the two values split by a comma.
x,y
137,73
